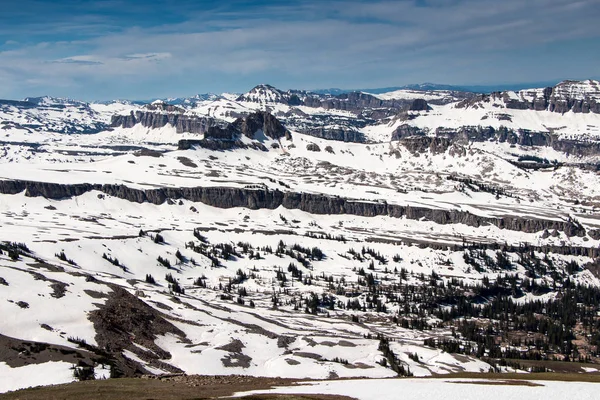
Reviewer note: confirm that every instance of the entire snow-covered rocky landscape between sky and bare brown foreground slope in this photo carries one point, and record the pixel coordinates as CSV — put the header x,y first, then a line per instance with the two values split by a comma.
x,y
300,235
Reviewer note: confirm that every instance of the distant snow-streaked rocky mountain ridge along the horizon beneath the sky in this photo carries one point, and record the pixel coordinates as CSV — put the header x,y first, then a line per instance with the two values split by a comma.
x,y
348,117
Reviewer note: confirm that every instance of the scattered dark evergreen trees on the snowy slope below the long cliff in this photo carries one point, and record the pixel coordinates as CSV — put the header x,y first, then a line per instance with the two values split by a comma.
x,y
486,320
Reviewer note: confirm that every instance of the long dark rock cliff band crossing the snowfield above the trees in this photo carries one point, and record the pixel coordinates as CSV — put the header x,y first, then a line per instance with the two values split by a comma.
x,y
227,197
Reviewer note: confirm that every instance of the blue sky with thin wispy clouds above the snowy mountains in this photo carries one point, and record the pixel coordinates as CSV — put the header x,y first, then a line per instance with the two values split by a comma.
x,y
96,50
